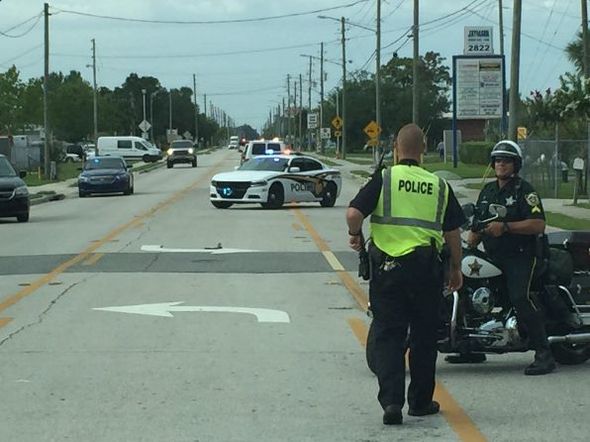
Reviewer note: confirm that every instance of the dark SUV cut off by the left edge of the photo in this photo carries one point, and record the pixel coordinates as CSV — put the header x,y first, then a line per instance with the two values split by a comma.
x,y
14,195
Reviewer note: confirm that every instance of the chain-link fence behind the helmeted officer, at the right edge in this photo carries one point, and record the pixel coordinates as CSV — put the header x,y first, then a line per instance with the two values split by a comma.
x,y
549,166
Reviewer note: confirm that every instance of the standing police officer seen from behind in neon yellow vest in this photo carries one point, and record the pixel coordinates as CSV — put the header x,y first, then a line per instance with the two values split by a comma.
x,y
412,213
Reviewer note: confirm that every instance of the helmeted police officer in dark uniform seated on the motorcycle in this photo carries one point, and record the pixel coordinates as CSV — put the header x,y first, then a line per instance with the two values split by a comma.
x,y
511,243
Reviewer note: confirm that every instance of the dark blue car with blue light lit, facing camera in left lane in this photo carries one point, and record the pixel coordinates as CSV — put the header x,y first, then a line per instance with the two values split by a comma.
x,y
105,175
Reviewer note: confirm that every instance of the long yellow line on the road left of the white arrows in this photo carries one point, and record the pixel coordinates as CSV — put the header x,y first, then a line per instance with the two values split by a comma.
x,y
87,253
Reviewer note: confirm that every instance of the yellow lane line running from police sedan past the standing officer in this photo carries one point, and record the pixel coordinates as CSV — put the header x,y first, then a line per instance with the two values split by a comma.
x,y
456,417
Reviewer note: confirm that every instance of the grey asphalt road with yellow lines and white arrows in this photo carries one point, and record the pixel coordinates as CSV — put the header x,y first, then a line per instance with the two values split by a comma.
x,y
130,318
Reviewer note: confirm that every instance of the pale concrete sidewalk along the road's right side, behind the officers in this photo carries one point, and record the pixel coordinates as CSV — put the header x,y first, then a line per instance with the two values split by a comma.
x,y
467,195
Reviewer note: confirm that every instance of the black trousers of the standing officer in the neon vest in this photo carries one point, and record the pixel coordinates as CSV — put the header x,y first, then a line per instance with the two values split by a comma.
x,y
408,294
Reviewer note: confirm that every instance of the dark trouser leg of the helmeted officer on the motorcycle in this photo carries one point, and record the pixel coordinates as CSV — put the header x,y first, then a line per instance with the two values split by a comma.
x,y
518,270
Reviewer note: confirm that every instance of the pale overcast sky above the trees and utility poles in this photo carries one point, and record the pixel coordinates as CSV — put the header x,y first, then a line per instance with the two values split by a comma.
x,y
243,66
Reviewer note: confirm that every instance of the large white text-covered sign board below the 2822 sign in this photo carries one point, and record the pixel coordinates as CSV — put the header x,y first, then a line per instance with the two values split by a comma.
x,y
478,87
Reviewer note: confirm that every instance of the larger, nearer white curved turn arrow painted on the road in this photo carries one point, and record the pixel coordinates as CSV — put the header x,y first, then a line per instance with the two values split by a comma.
x,y
166,308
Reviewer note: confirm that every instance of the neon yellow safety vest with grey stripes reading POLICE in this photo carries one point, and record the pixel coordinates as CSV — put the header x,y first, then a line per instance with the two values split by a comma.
x,y
410,210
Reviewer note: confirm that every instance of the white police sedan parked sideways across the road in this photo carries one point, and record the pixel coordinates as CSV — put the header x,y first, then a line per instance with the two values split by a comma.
x,y
275,180
